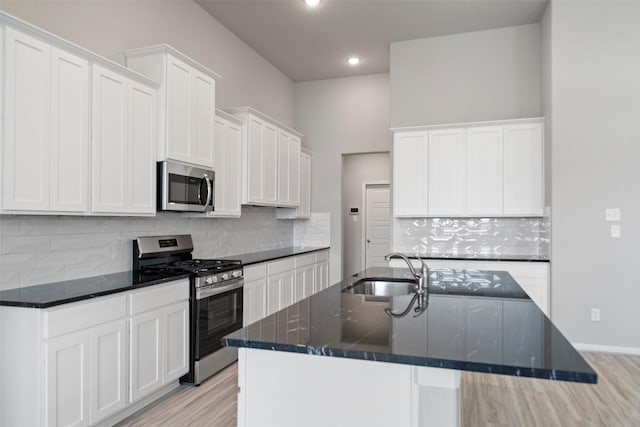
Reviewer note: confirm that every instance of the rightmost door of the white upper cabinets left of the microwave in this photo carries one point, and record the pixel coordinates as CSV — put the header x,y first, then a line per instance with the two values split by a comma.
x,y
142,145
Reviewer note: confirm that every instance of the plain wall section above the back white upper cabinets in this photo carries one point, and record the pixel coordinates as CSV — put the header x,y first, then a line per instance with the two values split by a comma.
x,y
484,75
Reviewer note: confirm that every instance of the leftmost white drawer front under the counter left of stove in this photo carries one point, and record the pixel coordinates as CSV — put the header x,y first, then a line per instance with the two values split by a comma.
x,y
82,315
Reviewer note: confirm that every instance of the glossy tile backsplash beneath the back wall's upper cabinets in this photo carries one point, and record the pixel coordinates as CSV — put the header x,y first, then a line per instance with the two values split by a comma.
x,y
471,236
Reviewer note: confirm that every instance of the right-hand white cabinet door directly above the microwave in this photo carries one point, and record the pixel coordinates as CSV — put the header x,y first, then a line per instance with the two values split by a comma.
x,y
202,127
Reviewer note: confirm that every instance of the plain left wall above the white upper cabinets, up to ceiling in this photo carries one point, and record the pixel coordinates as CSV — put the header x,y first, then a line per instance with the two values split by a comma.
x,y
110,27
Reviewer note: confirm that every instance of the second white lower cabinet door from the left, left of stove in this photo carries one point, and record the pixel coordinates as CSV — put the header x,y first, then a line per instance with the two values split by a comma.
x,y
108,373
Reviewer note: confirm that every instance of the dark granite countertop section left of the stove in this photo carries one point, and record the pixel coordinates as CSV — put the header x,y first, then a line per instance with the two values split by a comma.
x,y
52,294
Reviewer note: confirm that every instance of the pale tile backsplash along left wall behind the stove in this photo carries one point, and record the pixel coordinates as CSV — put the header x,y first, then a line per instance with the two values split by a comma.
x,y
41,249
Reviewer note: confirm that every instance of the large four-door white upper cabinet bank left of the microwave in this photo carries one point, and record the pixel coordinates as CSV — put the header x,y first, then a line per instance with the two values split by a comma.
x,y
78,135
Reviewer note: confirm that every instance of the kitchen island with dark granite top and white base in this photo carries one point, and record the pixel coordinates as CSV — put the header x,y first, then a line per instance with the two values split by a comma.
x,y
337,359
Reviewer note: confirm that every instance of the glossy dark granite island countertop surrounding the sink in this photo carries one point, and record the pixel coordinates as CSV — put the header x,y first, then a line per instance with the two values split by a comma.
x,y
482,323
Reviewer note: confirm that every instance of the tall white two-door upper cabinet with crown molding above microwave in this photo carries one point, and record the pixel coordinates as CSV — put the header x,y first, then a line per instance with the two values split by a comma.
x,y
187,103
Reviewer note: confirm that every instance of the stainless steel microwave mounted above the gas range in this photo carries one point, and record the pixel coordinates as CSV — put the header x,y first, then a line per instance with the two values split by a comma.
x,y
184,188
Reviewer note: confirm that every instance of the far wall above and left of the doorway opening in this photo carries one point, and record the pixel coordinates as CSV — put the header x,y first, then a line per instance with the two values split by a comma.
x,y
340,116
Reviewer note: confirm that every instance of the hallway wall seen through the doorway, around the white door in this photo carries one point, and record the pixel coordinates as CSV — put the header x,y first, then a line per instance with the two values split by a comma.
x,y
356,170
